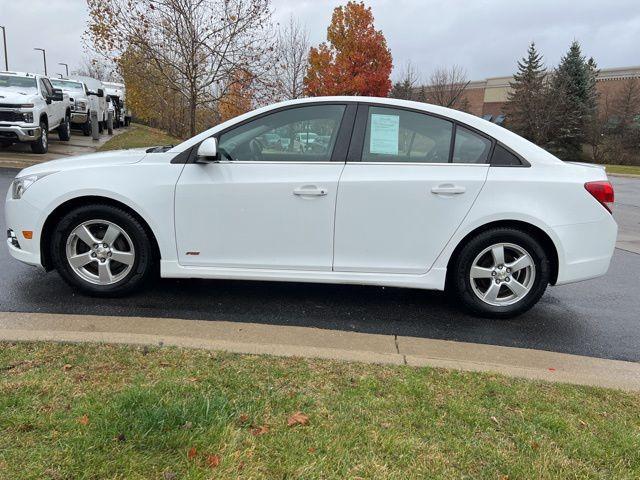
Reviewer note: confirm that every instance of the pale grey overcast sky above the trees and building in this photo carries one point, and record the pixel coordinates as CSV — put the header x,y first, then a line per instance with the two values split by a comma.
x,y
485,37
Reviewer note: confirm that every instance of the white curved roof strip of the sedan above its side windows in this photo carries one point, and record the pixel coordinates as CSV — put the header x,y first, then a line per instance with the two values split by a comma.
x,y
527,149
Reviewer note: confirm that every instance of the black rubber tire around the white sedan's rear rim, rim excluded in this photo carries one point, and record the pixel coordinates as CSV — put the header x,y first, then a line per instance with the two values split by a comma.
x,y
460,284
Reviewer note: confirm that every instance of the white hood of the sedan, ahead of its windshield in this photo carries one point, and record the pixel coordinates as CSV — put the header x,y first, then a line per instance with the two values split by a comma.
x,y
93,160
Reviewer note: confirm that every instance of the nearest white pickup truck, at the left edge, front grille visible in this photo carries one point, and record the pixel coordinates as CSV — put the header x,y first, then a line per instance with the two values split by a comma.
x,y
30,108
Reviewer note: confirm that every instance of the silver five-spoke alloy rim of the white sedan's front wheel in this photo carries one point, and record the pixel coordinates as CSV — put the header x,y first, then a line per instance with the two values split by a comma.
x,y
100,252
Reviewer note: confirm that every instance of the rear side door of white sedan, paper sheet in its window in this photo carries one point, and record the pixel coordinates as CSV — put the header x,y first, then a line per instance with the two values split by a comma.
x,y
409,181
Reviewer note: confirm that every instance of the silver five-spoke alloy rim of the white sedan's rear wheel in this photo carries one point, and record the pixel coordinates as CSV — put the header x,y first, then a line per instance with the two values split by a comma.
x,y
502,274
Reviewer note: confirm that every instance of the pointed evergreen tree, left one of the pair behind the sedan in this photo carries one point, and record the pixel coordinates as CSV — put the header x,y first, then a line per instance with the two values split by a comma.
x,y
527,105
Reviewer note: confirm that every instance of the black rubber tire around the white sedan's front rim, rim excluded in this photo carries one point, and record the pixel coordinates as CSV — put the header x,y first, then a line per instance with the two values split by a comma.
x,y
143,264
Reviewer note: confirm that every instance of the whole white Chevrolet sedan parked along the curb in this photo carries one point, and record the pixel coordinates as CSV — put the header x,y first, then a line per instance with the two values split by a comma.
x,y
337,190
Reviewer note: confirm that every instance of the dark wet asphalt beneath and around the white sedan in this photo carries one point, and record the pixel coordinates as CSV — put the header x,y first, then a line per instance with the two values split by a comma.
x,y
596,318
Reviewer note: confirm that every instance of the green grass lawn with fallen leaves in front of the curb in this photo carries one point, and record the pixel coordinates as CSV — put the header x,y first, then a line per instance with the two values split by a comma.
x,y
100,411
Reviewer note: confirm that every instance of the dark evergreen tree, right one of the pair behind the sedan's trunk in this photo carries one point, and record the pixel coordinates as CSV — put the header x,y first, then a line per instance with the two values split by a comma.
x,y
575,95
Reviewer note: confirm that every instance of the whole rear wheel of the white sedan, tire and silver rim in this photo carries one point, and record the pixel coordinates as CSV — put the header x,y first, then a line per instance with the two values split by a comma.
x,y
500,273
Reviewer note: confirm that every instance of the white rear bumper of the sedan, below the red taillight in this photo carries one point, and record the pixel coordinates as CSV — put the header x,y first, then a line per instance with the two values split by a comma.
x,y
587,249
